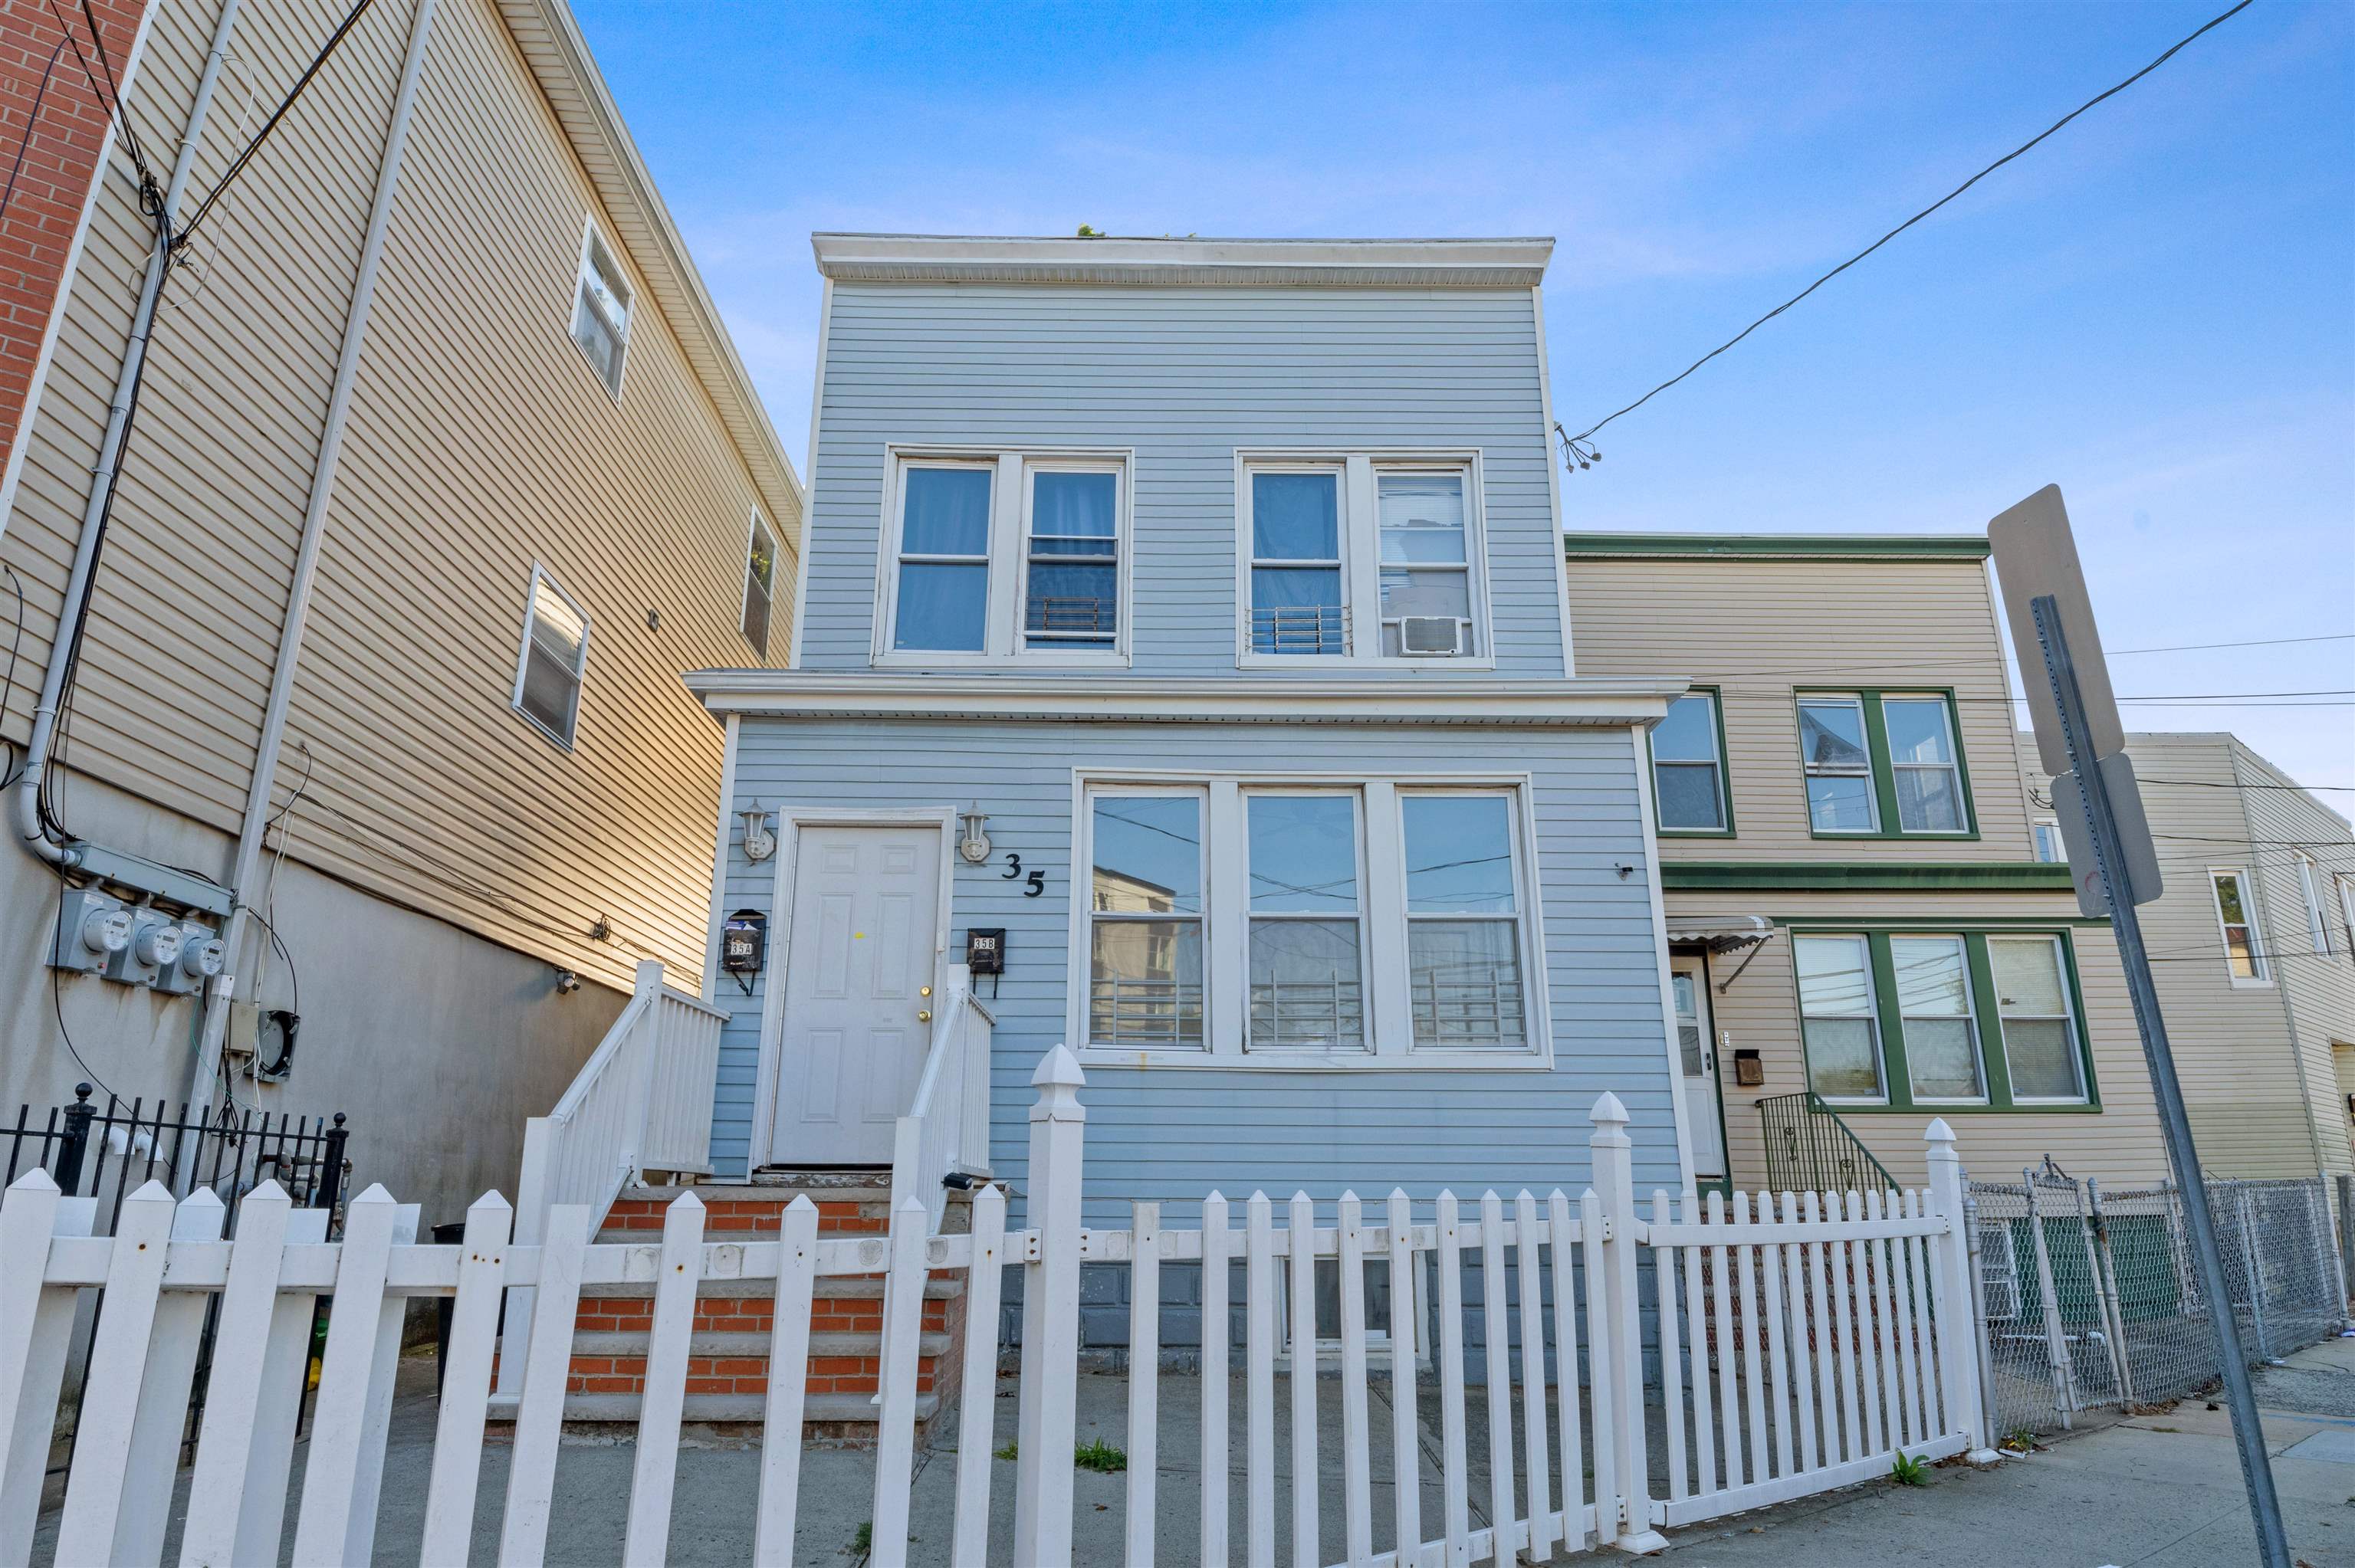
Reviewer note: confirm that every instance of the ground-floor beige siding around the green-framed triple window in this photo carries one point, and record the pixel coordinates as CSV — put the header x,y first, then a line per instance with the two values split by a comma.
x,y
1760,1011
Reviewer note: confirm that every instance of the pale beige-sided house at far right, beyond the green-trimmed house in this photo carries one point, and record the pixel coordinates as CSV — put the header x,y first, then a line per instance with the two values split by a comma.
x,y
2260,1030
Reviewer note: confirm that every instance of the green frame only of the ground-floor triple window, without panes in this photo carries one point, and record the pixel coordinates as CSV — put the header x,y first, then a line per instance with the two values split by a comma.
x,y
1989,1014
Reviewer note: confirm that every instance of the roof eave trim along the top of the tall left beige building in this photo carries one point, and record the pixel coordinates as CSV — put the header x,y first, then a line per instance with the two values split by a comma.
x,y
559,58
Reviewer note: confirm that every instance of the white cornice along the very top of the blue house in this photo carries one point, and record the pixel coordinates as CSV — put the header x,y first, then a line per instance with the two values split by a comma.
x,y
920,258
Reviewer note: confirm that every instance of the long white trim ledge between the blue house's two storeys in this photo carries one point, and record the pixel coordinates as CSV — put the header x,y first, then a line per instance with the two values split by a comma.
x,y
1157,700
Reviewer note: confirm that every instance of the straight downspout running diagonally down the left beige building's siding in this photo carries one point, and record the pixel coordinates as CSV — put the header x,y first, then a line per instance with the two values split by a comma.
x,y
314,526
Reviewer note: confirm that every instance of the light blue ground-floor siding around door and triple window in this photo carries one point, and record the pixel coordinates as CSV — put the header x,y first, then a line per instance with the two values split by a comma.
x,y
1174,1134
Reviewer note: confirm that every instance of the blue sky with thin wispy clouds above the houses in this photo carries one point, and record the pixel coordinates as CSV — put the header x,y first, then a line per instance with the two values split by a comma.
x,y
2156,310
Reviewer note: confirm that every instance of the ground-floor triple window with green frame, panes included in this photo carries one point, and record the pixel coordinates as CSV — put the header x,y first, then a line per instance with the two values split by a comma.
x,y
1944,1021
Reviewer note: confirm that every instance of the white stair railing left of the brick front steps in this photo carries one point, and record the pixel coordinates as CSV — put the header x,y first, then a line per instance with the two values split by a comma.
x,y
639,1103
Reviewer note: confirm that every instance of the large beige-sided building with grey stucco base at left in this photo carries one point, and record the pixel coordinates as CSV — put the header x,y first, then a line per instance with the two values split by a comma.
x,y
439,858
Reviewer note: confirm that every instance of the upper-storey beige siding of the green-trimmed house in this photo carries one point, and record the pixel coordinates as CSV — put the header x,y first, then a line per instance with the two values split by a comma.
x,y
1765,627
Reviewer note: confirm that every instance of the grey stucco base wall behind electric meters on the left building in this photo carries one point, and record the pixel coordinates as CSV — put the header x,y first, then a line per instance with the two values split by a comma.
x,y
434,1044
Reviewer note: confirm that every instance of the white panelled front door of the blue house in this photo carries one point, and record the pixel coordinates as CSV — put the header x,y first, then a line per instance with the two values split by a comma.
x,y
861,955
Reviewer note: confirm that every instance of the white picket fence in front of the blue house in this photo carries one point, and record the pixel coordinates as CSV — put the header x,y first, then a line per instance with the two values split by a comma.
x,y
1800,1350
